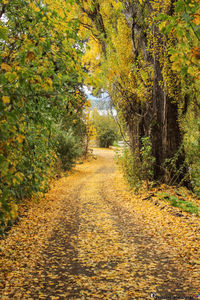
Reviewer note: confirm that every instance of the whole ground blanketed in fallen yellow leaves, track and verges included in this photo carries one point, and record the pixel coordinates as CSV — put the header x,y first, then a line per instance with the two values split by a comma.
x,y
92,238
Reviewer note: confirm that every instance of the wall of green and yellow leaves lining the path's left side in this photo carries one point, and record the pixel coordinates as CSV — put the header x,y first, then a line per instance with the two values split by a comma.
x,y
39,87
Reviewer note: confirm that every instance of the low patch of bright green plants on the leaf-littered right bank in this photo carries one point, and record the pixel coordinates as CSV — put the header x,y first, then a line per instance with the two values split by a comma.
x,y
182,204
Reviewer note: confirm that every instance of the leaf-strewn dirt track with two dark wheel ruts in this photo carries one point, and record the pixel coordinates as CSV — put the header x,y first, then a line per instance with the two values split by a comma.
x,y
97,247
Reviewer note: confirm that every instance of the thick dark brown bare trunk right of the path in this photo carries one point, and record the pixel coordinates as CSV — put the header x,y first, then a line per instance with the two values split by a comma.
x,y
165,135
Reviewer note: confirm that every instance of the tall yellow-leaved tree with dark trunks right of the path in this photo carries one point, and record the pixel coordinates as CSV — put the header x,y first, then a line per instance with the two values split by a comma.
x,y
127,55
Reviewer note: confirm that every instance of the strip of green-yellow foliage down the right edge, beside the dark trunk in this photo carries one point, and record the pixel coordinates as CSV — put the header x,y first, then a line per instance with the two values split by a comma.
x,y
183,32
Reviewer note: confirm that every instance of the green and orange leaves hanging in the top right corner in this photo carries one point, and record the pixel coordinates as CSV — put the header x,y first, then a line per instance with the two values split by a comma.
x,y
185,26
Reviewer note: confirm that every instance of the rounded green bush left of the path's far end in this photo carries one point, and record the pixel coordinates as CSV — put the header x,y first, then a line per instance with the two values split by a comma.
x,y
68,148
